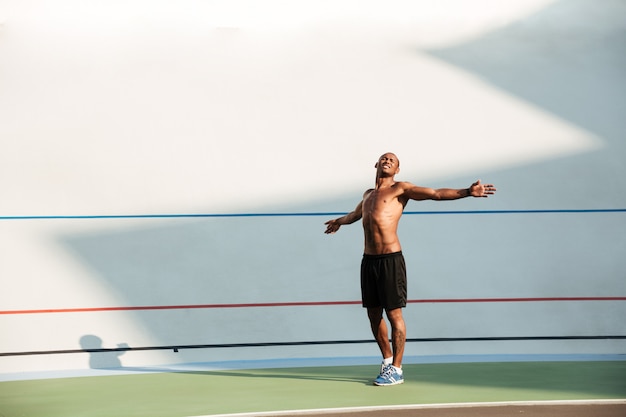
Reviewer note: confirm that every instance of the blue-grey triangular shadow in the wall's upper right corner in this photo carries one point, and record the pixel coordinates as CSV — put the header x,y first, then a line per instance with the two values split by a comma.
x,y
568,59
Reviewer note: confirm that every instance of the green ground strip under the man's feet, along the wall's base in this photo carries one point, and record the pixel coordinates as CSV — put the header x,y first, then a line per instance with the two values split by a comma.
x,y
179,394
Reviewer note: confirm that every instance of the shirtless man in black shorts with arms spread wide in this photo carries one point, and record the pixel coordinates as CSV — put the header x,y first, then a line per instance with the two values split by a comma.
x,y
383,272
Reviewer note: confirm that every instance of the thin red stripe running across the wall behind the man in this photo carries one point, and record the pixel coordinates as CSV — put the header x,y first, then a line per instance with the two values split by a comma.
x,y
303,304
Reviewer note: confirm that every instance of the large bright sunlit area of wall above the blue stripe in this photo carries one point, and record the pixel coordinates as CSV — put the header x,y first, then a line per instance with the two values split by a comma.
x,y
150,111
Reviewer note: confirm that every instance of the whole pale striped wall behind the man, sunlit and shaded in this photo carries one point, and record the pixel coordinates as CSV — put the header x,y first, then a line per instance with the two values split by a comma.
x,y
280,107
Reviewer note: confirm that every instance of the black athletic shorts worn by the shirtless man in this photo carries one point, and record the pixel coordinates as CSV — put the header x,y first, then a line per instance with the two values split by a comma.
x,y
383,281
